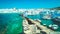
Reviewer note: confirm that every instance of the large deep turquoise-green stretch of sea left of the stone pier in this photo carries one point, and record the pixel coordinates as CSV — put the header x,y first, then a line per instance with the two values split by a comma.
x,y
10,23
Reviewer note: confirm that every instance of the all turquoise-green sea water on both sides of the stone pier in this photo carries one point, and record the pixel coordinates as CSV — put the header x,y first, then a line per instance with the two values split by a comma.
x,y
11,23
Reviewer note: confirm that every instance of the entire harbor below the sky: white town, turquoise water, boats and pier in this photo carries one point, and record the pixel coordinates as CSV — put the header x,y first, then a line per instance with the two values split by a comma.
x,y
29,21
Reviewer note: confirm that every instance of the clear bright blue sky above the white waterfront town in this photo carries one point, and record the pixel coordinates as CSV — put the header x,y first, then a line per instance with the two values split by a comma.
x,y
29,3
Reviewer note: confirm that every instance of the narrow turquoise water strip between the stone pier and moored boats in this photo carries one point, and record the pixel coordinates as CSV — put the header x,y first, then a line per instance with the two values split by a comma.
x,y
44,21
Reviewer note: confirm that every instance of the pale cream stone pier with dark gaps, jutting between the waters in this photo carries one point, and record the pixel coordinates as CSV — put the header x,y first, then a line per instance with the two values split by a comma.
x,y
31,26
